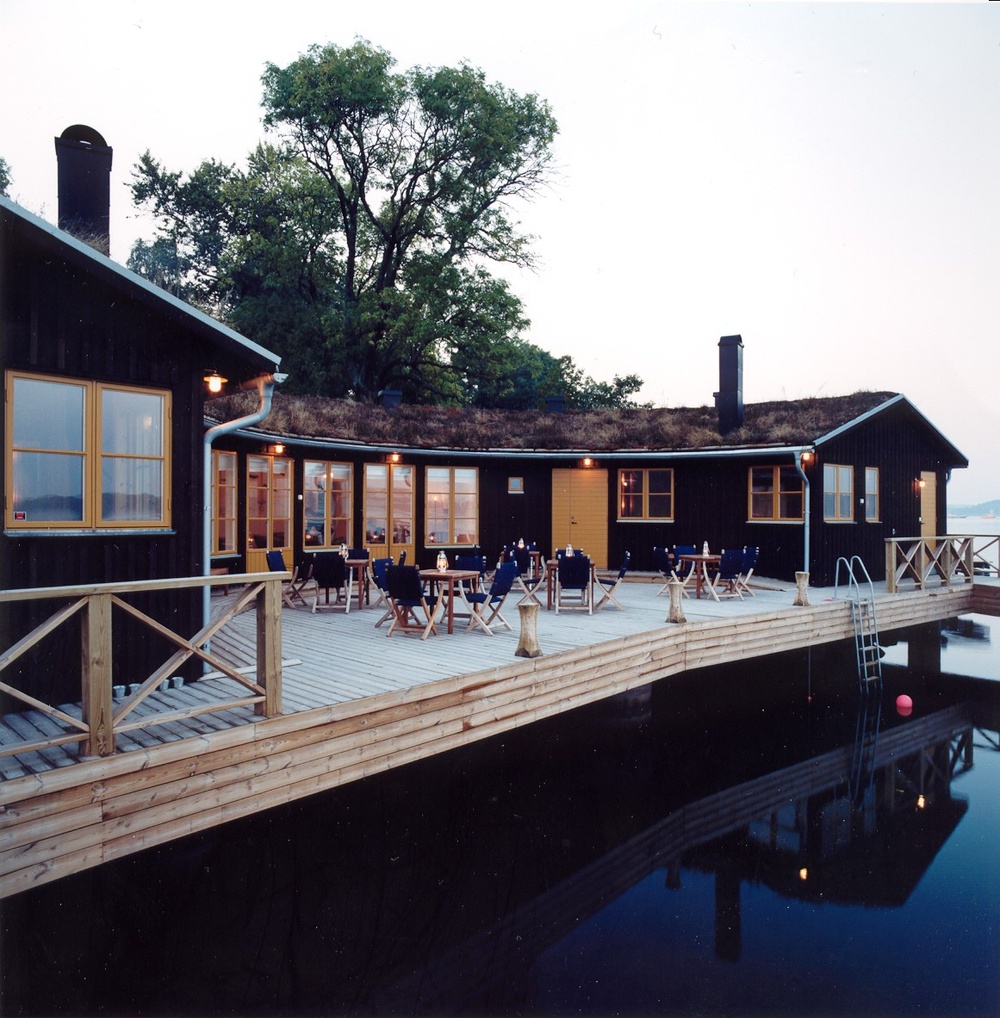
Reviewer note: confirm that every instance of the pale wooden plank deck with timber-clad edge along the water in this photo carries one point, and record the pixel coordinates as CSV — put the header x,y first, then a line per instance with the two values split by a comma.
x,y
356,704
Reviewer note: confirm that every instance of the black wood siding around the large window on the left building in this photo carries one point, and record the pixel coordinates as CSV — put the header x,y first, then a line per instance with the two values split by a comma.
x,y
60,319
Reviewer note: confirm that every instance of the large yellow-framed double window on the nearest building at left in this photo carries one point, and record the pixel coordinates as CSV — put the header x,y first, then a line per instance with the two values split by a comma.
x,y
86,456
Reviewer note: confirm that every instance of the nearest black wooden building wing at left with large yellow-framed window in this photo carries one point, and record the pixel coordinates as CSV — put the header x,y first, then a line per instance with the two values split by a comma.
x,y
103,433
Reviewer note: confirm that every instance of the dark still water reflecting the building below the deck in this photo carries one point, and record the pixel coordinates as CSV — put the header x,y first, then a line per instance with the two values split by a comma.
x,y
761,839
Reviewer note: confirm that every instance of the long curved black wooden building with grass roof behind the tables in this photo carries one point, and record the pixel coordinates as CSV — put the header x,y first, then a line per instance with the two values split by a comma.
x,y
806,481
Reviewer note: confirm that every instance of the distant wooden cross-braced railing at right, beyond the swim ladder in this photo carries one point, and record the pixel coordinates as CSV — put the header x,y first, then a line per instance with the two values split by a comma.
x,y
947,559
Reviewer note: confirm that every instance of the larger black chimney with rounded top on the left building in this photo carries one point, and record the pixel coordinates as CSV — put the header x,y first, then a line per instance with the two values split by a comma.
x,y
85,186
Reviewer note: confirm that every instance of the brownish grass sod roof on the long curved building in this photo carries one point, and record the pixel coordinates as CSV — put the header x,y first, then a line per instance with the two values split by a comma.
x,y
780,423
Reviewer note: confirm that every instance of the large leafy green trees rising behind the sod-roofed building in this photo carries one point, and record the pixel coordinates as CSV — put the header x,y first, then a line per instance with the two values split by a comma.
x,y
360,244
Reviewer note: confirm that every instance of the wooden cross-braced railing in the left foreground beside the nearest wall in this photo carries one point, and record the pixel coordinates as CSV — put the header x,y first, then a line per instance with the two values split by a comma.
x,y
102,718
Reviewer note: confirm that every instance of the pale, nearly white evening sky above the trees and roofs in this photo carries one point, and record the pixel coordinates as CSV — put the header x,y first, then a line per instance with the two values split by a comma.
x,y
821,179
